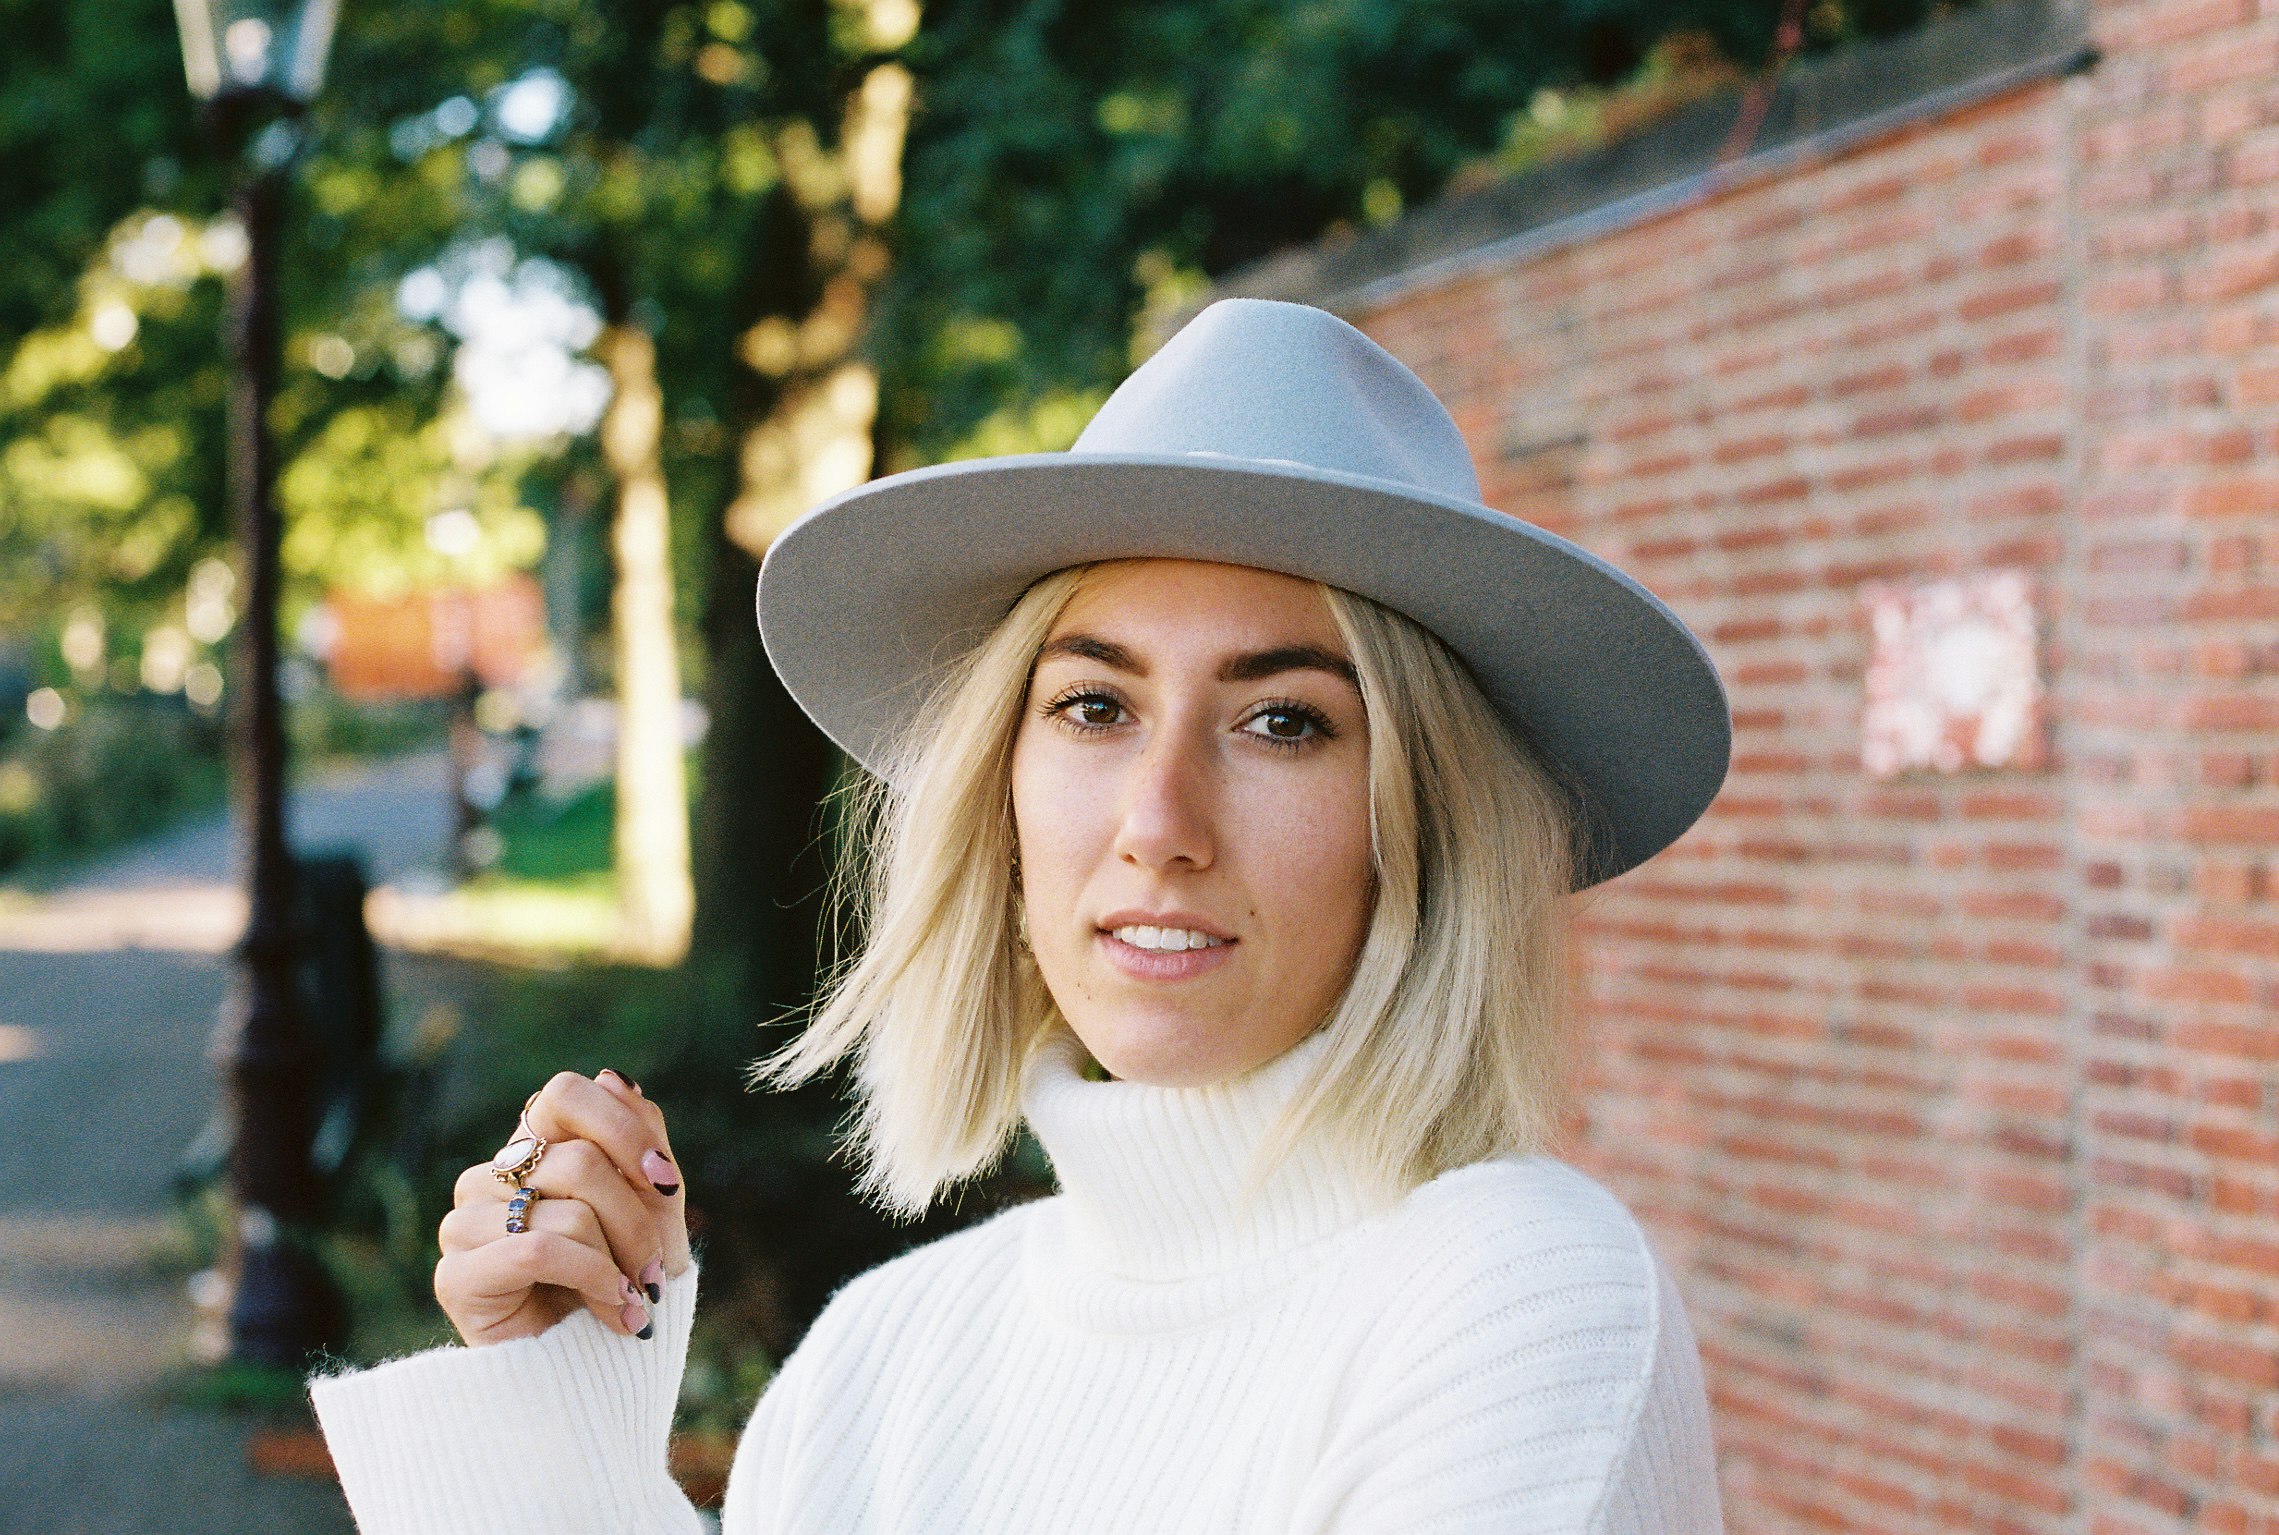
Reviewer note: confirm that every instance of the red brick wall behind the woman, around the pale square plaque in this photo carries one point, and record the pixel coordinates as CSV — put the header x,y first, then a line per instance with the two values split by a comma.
x,y
1954,1099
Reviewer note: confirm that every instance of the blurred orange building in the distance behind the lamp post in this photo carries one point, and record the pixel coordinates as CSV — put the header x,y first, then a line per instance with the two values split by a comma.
x,y
418,646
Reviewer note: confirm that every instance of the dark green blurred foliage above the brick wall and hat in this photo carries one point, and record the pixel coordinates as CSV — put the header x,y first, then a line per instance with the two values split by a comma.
x,y
1077,167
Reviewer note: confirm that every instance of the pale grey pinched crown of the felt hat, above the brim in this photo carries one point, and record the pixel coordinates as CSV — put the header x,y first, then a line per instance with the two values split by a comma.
x,y
1286,381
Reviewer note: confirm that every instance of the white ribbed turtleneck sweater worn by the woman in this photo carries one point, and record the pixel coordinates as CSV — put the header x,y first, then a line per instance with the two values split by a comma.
x,y
1501,1352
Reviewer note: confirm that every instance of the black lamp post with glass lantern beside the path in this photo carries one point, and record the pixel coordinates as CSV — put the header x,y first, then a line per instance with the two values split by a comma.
x,y
256,67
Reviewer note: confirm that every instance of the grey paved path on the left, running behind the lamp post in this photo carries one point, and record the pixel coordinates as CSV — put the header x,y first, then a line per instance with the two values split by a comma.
x,y
108,1001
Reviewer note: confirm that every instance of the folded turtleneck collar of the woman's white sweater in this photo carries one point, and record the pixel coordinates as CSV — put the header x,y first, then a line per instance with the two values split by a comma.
x,y
1152,1176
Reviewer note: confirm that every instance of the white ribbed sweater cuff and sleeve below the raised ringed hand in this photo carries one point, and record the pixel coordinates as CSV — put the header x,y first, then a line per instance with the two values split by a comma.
x,y
562,1434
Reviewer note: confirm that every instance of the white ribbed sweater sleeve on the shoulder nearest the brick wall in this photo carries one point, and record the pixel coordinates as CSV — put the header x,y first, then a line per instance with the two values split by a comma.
x,y
1535,1377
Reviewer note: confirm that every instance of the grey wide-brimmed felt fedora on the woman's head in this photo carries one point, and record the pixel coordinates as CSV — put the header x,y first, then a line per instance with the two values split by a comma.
x,y
1280,436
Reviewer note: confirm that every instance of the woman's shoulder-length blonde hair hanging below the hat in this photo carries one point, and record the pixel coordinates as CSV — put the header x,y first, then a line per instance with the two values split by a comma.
x,y
1448,1044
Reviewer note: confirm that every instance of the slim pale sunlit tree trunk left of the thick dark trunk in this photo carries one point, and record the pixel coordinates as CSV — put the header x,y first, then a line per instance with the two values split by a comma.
x,y
655,892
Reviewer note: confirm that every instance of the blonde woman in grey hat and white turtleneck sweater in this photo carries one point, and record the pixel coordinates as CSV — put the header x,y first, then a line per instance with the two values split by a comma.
x,y
1230,778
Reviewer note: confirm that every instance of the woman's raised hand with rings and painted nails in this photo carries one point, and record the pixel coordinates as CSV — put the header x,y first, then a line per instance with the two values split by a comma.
x,y
607,1229
